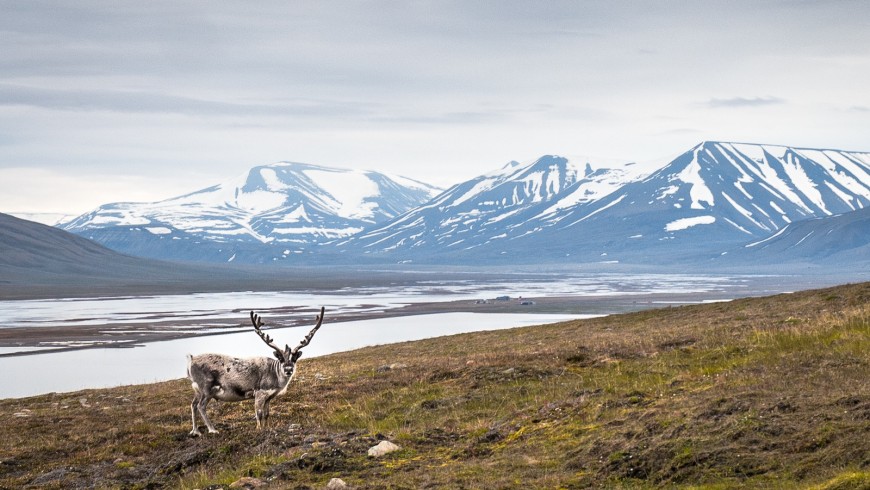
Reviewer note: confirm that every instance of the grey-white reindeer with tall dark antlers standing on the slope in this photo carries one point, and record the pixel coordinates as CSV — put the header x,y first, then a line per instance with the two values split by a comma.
x,y
230,379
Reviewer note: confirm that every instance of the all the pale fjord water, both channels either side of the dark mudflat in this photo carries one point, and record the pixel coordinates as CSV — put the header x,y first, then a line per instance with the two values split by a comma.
x,y
209,313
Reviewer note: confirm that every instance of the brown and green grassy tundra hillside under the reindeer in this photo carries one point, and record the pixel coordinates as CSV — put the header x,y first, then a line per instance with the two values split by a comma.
x,y
755,393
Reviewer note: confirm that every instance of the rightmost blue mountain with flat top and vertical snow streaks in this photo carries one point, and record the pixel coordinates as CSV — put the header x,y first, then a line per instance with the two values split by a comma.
x,y
723,193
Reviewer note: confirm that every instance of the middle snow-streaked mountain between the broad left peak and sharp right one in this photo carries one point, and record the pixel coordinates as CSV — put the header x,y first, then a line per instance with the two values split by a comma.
x,y
512,201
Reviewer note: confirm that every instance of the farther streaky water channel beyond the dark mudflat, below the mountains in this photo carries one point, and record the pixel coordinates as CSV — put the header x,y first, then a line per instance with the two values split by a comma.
x,y
224,308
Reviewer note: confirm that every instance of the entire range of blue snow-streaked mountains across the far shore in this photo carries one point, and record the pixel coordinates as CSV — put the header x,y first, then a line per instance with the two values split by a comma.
x,y
712,200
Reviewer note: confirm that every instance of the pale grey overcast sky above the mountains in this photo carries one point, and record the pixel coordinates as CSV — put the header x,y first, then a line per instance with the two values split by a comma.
x,y
105,101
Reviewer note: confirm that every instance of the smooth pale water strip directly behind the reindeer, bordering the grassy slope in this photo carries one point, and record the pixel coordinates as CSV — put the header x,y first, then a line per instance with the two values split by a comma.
x,y
160,361
